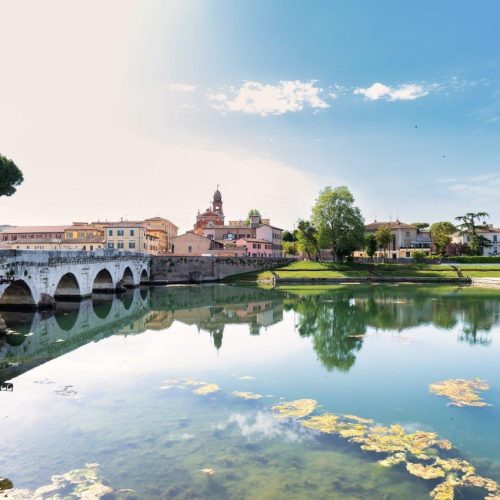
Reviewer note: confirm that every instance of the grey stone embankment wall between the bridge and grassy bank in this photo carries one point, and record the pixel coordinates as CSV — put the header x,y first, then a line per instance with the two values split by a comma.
x,y
177,269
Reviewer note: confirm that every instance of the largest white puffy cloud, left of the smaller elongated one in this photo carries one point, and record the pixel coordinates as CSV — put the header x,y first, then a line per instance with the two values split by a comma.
x,y
264,99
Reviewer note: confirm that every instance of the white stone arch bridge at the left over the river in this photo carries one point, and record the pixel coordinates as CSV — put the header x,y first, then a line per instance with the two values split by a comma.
x,y
30,279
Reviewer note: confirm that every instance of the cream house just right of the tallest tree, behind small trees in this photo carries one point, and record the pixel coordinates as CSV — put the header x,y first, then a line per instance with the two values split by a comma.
x,y
406,239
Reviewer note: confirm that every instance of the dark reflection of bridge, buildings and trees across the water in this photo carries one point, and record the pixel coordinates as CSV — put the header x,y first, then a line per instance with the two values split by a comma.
x,y
335,319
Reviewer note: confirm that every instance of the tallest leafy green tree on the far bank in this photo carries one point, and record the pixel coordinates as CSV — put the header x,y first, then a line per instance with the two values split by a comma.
x,y
340,225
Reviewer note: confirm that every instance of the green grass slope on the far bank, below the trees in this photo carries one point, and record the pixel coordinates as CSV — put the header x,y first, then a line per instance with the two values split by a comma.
x,y
306,270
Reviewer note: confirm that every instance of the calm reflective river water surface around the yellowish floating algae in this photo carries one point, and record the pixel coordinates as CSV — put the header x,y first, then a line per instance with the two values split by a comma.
x,y
91,386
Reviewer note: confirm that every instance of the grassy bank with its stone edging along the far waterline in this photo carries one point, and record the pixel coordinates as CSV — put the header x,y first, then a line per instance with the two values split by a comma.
x,y
320,272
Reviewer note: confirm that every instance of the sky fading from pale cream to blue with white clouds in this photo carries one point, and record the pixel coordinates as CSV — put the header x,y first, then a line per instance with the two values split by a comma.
x,y
133,109
